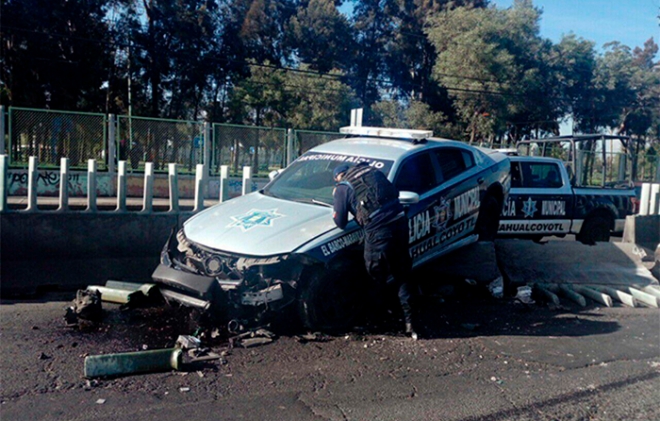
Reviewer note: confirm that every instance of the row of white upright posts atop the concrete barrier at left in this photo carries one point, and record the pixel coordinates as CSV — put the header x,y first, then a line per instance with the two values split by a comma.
x,y
201,186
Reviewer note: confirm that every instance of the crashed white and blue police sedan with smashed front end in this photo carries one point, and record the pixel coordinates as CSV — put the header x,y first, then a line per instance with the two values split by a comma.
x,y
278,248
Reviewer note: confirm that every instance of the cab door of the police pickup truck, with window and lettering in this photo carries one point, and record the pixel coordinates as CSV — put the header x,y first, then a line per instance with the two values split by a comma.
x,y
540,201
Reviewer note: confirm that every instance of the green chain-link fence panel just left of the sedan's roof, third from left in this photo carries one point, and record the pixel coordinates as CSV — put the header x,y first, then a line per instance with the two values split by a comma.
x,y
262,148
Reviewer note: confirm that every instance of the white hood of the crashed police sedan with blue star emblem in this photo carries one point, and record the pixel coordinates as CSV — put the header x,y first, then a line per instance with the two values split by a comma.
x,y
258,225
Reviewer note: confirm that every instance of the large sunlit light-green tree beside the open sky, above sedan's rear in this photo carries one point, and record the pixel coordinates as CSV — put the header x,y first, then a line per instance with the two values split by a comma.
x,y
494,65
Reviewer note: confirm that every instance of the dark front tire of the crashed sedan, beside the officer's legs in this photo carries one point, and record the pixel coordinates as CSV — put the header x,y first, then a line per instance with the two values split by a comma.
x,y
330,301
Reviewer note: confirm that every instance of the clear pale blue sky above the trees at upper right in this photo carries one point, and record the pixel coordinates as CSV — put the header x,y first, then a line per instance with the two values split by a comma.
x,y
630,22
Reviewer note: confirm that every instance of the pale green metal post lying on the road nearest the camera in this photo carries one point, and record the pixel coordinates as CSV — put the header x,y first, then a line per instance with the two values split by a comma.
x,y
133,362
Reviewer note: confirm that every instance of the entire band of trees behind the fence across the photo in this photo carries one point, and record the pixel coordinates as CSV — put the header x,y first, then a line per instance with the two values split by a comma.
x,y
463,68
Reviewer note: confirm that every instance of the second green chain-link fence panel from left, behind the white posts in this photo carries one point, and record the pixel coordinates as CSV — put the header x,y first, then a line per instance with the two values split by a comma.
x,y
141,140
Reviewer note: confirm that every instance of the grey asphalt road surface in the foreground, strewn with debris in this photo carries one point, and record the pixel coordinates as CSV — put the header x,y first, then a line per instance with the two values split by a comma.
x,y
483,359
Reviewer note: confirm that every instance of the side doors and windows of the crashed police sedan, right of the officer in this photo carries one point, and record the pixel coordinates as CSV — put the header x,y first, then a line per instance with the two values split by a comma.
x,y
445,180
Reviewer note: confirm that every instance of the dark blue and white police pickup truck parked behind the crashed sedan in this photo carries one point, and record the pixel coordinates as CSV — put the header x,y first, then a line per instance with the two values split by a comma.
x,y
544,202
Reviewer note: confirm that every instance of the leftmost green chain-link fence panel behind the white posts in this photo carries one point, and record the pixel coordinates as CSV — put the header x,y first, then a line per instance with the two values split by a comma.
x,y
51,135
